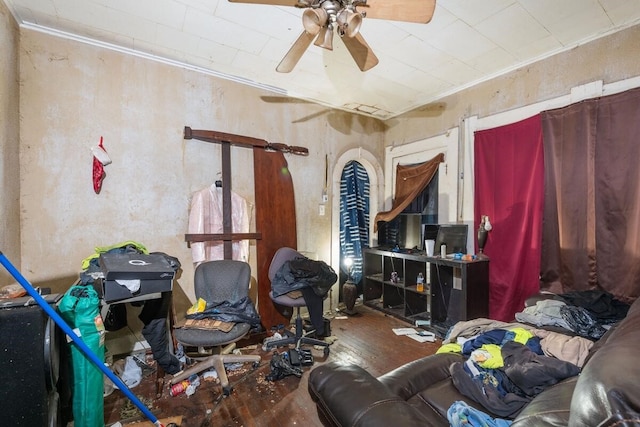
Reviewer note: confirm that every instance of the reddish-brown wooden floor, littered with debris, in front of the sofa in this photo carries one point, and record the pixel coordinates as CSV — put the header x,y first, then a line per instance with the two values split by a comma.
x,y
365,339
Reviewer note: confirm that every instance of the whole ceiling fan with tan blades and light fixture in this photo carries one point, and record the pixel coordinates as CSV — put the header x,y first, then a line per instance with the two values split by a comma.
x,y
322,17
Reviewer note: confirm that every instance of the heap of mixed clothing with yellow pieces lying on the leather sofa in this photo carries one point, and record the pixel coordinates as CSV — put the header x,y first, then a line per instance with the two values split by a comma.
x,y
508,364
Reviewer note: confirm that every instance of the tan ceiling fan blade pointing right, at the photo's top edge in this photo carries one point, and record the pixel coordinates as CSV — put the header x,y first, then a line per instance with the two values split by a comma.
x,y
419,11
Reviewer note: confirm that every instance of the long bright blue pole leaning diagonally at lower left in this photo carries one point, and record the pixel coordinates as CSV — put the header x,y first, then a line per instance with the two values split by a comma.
x,y
76,339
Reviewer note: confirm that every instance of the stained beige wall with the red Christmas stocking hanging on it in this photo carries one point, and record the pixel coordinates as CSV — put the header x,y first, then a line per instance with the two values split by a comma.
x,y
73,93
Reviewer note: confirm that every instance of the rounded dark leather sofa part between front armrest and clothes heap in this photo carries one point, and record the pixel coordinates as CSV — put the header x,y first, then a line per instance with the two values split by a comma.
x,y
410,379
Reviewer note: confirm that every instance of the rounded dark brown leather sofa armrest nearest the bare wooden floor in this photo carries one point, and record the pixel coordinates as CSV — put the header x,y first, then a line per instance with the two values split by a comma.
x,y
347,395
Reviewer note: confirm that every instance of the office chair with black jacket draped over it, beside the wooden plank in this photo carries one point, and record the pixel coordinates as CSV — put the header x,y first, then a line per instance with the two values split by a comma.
x,y
298,338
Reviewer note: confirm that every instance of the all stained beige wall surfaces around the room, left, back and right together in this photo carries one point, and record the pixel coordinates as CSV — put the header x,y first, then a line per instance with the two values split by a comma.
x,y
72,93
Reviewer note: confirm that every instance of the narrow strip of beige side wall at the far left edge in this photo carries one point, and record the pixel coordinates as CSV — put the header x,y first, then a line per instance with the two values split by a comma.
x,y
9,143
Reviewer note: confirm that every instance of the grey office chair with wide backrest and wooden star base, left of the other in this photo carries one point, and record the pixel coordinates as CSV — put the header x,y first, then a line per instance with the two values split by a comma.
x,y
216,282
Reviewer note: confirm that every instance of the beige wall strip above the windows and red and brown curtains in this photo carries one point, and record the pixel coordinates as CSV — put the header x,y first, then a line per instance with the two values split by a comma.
x,y
612,58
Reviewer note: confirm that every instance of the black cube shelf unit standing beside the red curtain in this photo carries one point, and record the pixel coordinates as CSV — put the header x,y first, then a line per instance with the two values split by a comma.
x,y
454,290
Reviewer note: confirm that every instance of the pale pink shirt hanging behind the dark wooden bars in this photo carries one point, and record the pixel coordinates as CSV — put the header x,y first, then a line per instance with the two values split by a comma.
x,y
205,217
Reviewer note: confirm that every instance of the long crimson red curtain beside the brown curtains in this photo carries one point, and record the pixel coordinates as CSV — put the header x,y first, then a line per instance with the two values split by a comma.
x,y
509,187
